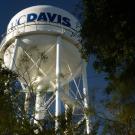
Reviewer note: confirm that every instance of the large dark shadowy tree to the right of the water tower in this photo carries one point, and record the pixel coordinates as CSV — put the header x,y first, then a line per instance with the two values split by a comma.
x,y
109,33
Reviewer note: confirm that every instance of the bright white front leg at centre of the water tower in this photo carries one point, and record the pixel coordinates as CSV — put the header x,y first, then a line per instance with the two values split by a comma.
x,y
57,93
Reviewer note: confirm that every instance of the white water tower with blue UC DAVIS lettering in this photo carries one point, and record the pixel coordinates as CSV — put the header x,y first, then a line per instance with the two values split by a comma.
x,y
42,45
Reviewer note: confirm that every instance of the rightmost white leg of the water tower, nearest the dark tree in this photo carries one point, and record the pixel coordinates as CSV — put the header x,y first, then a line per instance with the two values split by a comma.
x,y
86,99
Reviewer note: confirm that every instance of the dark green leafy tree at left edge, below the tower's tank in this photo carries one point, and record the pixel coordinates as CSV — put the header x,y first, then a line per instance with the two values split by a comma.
x,y
10,123
